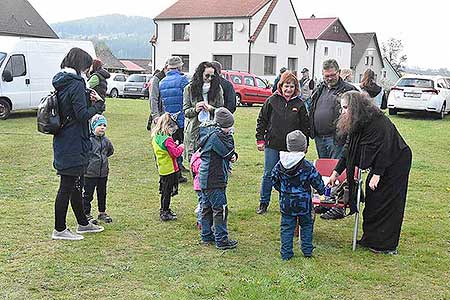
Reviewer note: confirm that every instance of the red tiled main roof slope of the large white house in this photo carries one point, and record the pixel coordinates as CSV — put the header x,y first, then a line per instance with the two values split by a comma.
x,y
189,9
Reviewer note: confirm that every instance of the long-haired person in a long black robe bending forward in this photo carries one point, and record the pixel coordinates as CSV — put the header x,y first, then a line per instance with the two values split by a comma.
x,y
374,143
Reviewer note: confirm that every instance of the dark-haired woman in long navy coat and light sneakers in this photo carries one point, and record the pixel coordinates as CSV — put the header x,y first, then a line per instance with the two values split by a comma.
x,y
71,145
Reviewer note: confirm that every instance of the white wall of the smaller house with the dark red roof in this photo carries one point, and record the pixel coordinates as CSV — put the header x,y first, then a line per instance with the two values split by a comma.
x,y
342,56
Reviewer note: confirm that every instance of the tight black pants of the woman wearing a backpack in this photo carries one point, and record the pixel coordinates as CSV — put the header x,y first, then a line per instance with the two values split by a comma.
x,y
70,189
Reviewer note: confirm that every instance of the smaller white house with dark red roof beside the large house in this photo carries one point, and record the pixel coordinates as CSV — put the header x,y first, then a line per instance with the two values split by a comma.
x,y
327,38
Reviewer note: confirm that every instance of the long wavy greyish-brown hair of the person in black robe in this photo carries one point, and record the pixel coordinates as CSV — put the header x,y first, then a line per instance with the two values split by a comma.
x,y
361,111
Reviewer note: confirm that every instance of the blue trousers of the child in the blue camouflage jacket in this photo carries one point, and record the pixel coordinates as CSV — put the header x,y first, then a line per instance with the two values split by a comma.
x,y
287,229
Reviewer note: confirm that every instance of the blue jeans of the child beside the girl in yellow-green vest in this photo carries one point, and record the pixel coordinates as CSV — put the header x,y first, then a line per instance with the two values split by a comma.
x,y
214,213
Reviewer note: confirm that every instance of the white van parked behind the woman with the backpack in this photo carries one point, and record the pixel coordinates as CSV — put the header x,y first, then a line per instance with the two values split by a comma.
x,y
27,67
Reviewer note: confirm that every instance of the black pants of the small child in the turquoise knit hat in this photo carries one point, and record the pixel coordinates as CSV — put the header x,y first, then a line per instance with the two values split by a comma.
x,y
90,183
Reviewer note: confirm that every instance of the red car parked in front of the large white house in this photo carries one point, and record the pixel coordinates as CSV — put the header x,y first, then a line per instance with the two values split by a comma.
x,y
249,88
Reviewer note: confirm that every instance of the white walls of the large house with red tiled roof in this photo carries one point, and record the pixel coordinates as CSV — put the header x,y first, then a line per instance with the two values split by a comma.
x,y
202,46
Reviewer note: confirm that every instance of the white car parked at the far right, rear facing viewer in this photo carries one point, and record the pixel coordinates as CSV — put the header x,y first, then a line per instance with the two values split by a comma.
x,y
420,93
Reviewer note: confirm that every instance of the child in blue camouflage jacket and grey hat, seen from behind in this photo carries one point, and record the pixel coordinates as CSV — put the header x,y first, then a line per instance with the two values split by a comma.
x,y
293,177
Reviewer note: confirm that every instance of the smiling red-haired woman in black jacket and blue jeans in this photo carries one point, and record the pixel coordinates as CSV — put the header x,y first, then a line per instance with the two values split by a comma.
x,y
282,113
